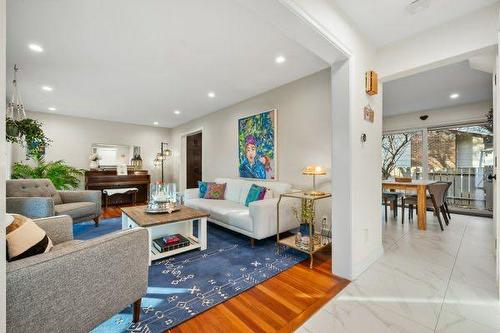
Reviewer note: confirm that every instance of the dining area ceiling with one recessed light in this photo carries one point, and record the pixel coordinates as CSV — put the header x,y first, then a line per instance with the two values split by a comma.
x,y
432,89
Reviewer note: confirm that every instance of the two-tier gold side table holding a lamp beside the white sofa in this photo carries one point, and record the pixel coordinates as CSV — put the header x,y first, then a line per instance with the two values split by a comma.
x,y
316,241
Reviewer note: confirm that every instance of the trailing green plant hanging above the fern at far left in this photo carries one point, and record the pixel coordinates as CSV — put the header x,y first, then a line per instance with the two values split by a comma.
x,y
28,133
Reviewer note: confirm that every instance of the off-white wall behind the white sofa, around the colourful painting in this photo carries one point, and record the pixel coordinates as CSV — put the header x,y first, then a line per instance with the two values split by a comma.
x,y
304,132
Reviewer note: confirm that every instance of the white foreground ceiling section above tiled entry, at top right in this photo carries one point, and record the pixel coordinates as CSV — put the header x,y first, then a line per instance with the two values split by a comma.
x,y
387,21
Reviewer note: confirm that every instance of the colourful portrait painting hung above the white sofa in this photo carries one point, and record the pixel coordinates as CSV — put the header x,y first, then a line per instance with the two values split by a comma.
x,y
257,146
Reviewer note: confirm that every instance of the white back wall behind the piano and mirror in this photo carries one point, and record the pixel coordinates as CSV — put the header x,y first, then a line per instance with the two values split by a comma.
x,y
73,137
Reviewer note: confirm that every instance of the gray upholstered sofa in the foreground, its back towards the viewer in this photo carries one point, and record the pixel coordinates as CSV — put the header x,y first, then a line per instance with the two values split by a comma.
x,y
78,284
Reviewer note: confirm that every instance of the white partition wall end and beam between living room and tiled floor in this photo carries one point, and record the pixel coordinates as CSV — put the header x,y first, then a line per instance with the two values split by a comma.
x,y
356,166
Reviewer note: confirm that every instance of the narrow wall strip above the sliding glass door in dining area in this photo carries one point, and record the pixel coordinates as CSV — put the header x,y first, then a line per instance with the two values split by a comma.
x,y
460,114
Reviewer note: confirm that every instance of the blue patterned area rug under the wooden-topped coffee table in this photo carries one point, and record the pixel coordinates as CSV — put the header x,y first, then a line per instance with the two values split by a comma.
x,y
185,285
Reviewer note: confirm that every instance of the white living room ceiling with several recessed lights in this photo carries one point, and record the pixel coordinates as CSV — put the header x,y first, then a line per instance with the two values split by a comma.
x,y
138,61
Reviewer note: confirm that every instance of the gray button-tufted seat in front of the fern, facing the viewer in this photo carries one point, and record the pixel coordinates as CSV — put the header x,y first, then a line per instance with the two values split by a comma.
x,y
37,198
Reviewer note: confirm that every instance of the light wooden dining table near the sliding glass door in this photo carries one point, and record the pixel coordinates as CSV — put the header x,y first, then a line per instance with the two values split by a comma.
x,y
420,186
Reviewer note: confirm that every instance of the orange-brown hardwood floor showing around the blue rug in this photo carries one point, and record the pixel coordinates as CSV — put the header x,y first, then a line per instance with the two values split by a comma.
x,y
280,304
